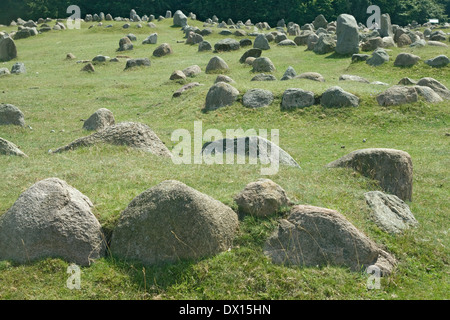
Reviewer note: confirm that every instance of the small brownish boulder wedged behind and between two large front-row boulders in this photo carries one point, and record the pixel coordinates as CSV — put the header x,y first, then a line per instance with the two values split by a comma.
x,y
262,198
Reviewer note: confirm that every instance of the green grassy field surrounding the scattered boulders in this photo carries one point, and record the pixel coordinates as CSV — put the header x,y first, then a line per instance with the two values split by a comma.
x,y
54,96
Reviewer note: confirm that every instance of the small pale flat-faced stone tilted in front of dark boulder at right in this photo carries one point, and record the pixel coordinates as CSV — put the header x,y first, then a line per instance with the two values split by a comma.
x,y
389,212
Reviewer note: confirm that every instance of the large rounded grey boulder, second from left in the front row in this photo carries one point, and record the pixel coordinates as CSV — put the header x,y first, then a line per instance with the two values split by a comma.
x,y
172,222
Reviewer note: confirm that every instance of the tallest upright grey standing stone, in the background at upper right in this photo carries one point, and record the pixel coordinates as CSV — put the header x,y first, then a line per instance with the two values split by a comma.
x,y
347,35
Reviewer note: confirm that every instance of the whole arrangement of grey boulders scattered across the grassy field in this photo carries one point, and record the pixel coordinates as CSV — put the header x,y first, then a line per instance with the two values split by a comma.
x,y
172,221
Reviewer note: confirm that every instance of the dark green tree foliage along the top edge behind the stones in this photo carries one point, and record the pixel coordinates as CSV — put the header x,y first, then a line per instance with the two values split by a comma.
x,y
300,11
